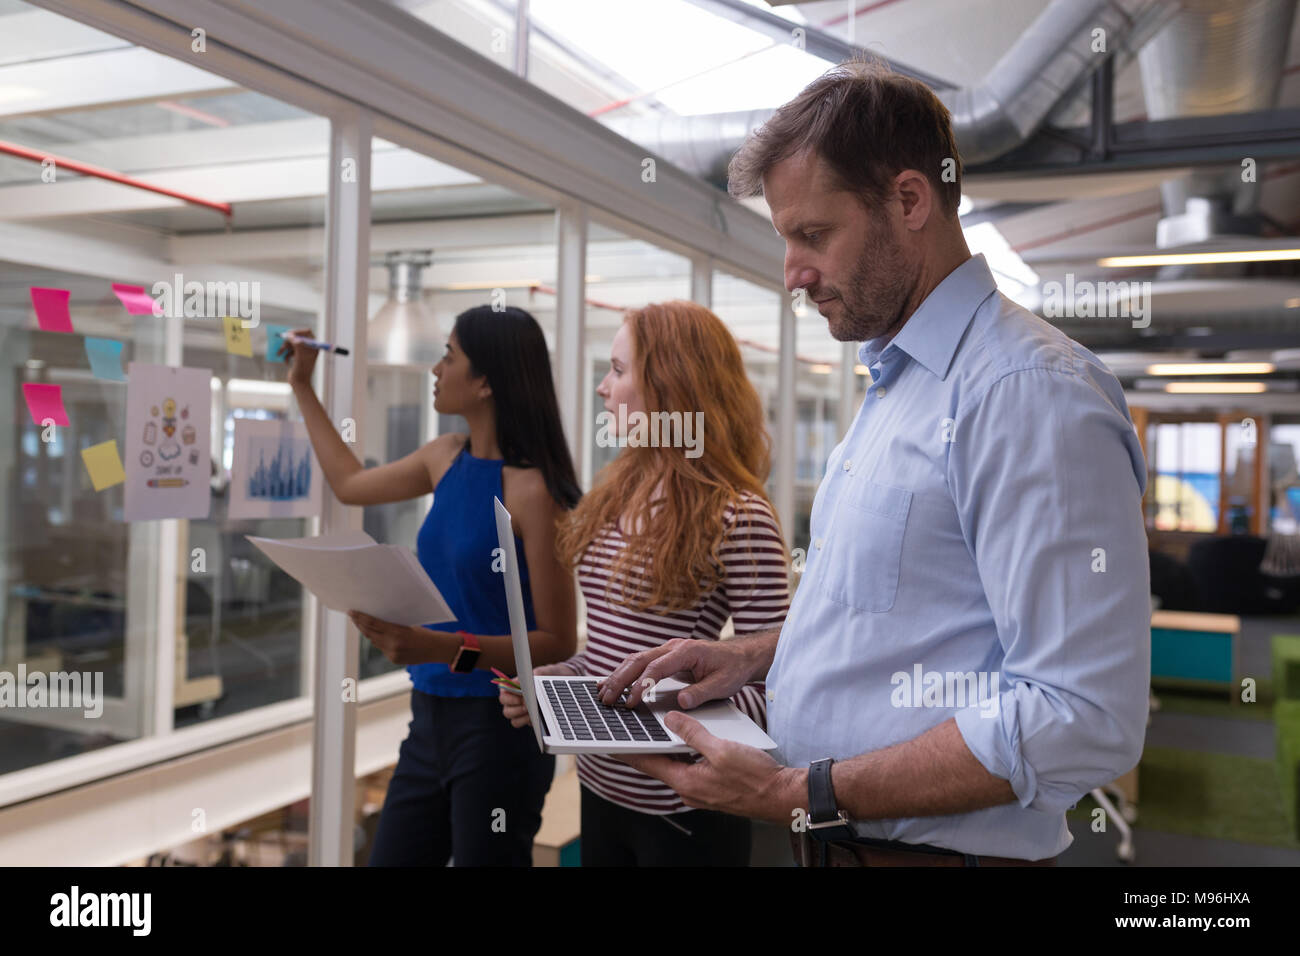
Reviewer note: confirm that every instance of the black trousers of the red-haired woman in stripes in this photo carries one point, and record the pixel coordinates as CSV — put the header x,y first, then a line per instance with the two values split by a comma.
x,y
614,836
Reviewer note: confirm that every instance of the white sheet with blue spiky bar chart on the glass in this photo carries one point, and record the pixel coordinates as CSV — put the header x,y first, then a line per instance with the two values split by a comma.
x,y
274,471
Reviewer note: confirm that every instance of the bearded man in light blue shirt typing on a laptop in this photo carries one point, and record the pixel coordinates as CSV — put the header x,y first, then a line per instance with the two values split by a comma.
x,y
969,644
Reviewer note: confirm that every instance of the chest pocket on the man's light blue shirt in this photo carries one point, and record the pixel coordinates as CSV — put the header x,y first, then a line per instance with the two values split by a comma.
x,y
865,548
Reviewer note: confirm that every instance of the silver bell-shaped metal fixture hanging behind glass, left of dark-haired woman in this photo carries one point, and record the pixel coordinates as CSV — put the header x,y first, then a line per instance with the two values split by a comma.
x,y
405,331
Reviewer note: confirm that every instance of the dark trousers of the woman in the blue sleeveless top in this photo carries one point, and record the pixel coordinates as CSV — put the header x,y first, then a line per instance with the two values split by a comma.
x,y
467,786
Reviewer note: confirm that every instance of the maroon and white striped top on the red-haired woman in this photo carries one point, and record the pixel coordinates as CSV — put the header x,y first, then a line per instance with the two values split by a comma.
x,y
755,592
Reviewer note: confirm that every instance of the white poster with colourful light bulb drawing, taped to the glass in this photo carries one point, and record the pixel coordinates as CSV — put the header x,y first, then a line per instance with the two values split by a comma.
x,y
168,443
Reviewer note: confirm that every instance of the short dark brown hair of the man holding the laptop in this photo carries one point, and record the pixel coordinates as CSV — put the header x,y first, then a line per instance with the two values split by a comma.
x,y
868,124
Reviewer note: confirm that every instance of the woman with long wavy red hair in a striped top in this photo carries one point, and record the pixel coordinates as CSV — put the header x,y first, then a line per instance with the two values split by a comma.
x,y
675,538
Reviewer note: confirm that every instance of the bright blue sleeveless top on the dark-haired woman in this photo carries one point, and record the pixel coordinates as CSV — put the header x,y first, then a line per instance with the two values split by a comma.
x,y
456,547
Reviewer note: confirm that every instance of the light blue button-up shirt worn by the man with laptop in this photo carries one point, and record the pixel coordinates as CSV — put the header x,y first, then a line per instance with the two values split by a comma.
x,y
977,552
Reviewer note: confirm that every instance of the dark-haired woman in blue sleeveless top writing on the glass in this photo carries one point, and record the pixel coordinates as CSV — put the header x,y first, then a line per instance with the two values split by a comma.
x,y
469,786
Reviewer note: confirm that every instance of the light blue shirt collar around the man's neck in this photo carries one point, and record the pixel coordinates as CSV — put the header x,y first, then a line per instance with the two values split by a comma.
x,y
933,332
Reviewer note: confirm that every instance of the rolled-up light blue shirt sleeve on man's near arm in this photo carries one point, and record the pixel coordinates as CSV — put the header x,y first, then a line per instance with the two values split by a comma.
x,y
1047,475
